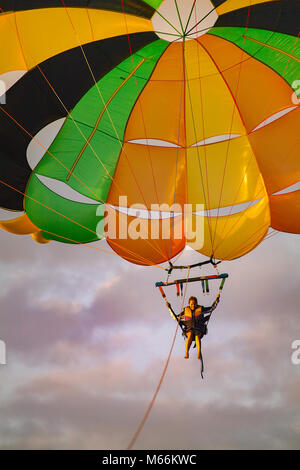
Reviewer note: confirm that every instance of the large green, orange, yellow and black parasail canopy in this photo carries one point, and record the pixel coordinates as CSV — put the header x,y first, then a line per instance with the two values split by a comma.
x,y
138,108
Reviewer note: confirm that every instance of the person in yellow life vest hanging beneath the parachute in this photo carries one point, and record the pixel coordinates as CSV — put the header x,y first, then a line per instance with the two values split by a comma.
x,y
193,321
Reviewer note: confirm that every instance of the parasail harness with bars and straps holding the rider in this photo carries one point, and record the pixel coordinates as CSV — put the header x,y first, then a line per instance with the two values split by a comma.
x,y
179,283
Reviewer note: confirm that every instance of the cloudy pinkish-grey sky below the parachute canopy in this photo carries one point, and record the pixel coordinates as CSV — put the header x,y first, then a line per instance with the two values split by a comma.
x,y
87,337
